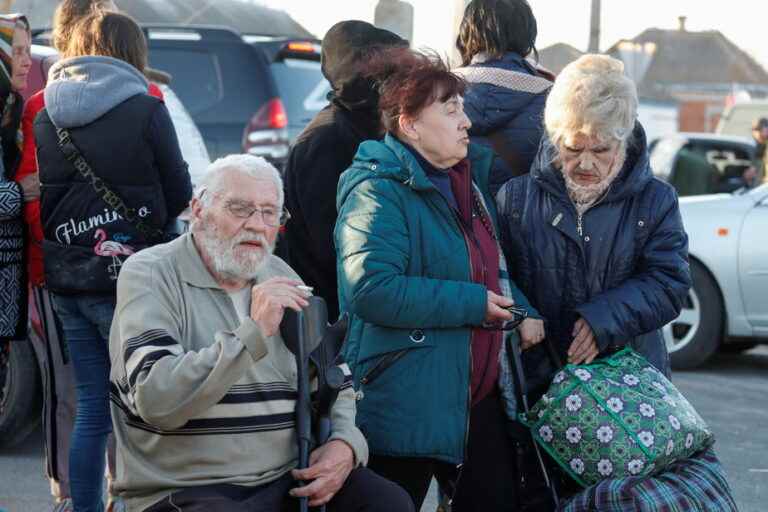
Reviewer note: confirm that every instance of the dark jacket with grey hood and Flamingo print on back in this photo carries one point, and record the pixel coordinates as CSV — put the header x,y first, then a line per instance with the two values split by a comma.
x,y
127,138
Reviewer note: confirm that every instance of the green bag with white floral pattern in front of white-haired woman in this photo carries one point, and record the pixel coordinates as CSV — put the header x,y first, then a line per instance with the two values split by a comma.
x,y
614,418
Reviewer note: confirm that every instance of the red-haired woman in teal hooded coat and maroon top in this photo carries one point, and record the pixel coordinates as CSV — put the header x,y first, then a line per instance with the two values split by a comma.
x,y
422,276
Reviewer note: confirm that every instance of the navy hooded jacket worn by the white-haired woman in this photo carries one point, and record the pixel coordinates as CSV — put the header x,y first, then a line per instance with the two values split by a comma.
x,y
626,274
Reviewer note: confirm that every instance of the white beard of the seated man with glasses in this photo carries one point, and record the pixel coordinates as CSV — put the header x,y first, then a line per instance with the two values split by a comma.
x,y
222,256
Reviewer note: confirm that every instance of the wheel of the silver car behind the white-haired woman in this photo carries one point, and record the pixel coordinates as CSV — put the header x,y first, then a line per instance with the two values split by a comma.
x,y
695,334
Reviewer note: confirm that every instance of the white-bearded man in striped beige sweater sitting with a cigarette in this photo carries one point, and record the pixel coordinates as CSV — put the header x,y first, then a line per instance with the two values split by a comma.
x,y
203,387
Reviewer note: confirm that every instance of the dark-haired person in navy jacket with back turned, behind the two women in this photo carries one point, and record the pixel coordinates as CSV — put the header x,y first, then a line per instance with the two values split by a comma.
x,y
505,99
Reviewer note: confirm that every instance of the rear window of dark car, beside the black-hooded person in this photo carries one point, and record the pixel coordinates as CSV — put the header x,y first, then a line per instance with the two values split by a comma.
x,y
302,87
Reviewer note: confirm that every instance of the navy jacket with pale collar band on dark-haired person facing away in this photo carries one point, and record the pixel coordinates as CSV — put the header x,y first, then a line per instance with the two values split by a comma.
x,y
515,112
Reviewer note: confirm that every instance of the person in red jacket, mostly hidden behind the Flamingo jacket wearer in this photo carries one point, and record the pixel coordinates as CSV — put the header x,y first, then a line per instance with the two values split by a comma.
x,y
59,397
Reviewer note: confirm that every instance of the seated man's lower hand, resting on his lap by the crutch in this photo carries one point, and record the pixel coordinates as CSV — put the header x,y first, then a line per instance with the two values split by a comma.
x,y
329,467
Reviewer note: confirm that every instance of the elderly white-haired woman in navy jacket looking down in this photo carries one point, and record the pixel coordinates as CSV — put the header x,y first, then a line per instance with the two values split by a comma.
x,y
592,238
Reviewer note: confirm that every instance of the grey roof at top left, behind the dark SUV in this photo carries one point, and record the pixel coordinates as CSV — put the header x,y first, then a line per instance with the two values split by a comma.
x,y
245,17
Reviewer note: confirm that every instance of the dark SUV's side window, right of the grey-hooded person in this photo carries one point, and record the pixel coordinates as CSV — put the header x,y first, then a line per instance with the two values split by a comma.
x,y
196,76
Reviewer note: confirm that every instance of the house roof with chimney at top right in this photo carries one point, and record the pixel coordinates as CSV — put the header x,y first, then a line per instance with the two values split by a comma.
x,y
679,62
